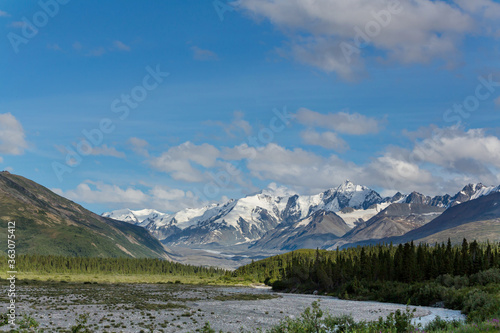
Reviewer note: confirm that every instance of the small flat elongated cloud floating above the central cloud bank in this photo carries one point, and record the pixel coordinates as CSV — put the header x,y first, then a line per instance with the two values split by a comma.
x,y
341,122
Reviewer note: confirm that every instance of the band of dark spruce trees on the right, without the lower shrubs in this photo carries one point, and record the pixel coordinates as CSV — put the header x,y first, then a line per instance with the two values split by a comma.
x,y
327,270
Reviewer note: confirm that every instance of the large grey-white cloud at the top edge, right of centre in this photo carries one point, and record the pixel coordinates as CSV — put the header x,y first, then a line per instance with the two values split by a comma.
x,y
415,32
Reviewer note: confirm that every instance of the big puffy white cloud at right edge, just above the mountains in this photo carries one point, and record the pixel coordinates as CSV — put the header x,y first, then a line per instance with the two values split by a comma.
x,y
440,160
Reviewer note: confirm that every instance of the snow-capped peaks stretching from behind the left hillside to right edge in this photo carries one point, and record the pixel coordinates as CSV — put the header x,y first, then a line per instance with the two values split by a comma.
x,y
278,216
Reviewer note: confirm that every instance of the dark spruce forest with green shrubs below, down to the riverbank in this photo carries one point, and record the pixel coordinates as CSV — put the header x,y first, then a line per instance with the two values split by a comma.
x,y
464,277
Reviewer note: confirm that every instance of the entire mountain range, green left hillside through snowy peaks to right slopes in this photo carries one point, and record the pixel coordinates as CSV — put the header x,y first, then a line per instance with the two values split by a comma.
x,y
235,232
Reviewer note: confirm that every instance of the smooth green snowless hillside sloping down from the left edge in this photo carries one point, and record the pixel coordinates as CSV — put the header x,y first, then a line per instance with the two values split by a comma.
x,y
48,224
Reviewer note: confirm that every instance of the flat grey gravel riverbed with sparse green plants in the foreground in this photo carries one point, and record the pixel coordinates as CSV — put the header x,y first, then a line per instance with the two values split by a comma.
x,y
181,308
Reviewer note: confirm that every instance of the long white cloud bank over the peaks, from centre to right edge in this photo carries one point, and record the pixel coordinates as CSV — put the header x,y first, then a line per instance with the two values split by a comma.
x,y
440,161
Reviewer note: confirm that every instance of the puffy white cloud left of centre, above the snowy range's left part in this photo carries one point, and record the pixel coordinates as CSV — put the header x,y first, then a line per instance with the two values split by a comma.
x,y
177,161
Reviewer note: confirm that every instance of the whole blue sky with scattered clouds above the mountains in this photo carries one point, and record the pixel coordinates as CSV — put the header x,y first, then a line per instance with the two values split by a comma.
x,y
409,108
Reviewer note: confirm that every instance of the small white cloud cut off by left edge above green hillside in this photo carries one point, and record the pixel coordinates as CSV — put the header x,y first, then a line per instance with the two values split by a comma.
x,y
12,137
